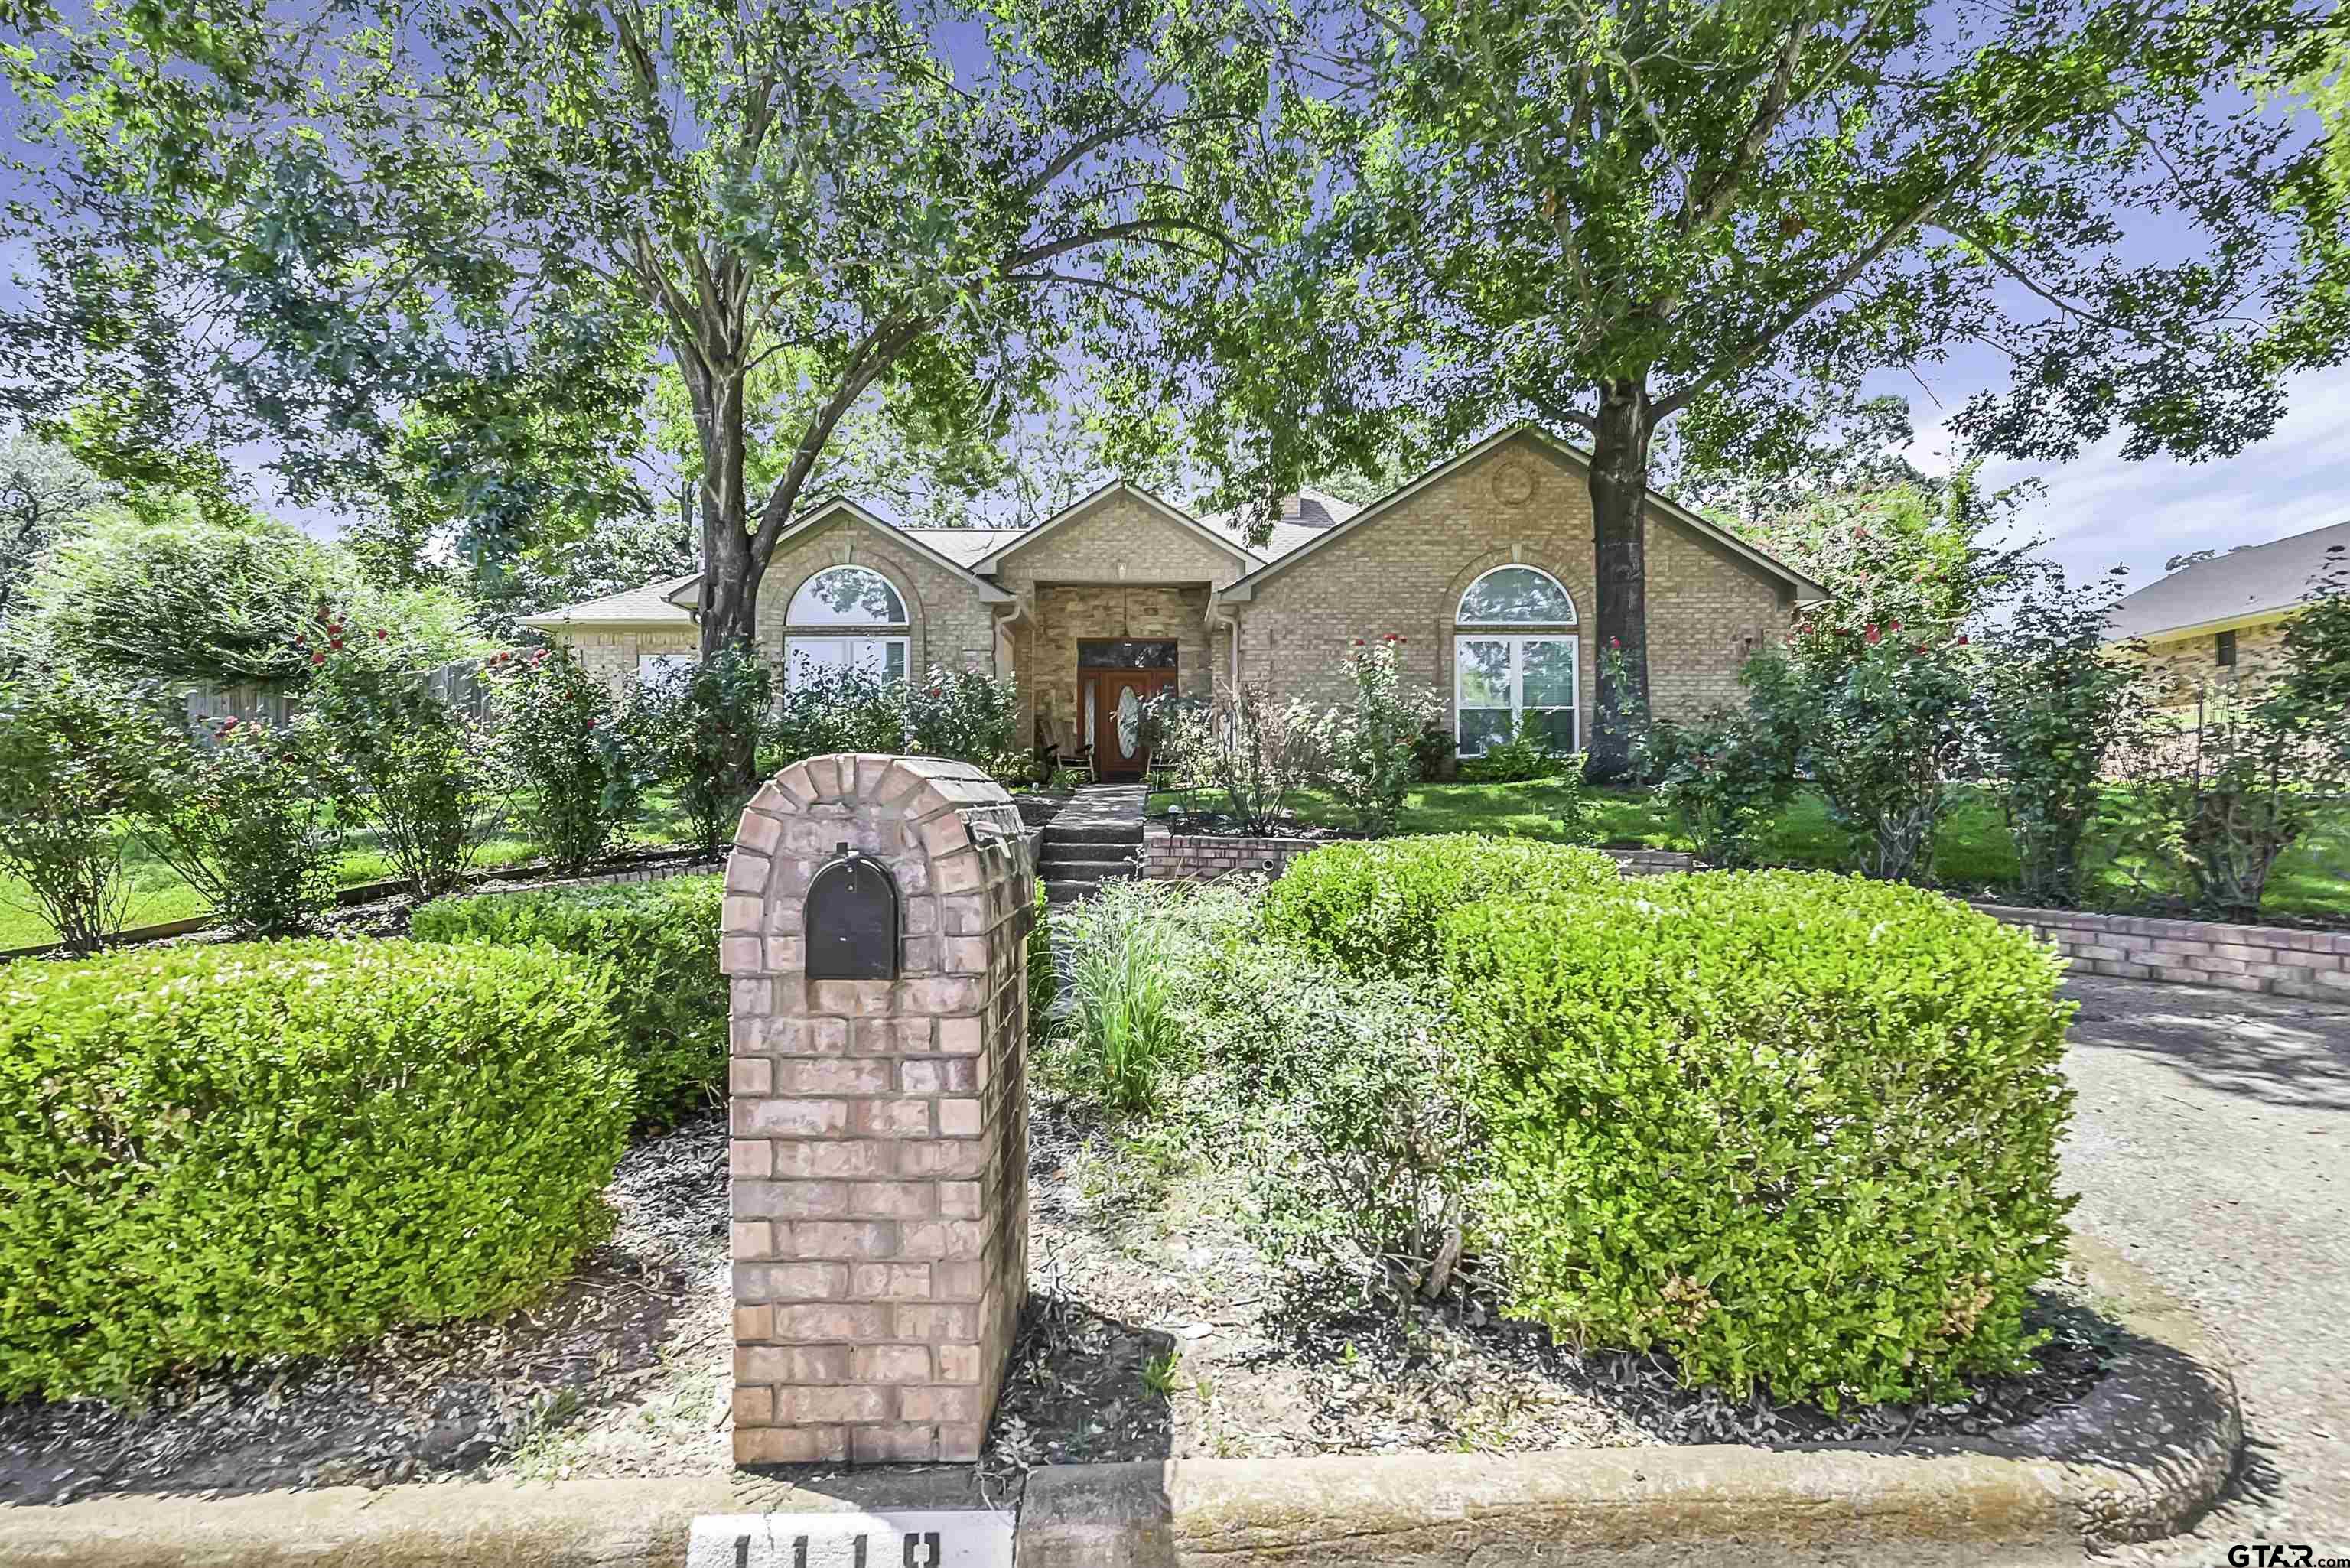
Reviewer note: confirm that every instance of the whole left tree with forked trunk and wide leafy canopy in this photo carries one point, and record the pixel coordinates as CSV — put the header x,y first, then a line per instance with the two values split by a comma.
x,y
488,213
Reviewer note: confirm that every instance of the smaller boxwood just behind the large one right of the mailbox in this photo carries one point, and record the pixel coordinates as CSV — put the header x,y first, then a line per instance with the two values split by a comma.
x,y
1376,909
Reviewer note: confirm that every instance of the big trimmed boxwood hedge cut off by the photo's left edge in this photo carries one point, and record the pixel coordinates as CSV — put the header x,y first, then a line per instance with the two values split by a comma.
x,y
281,1148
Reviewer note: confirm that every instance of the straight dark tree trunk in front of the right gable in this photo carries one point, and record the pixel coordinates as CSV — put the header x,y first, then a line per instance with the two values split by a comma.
x,y
1620,558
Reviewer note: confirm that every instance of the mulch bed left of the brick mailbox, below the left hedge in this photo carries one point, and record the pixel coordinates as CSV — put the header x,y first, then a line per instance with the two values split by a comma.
x,y
441,1400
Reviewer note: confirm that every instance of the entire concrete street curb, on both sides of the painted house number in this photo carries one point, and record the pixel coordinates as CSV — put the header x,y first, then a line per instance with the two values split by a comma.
x,y
2144,1456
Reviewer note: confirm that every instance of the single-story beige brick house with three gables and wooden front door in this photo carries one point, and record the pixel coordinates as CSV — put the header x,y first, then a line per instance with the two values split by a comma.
x,y
1482,565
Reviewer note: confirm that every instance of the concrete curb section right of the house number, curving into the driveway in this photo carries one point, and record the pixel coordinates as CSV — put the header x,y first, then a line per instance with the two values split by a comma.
x,y
2147,1454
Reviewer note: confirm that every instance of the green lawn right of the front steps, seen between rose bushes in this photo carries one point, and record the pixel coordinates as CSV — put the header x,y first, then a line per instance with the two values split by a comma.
x,y
1973,852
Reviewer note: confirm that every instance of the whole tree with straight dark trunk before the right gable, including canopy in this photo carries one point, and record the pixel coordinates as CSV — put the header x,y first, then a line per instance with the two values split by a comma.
x,y
1733,213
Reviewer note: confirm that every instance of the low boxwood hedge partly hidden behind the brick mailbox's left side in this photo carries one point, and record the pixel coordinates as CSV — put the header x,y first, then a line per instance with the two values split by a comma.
x,y
659,944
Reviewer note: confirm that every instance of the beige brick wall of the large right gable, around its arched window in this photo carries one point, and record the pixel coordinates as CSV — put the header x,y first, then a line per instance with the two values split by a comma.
x,y
1406,570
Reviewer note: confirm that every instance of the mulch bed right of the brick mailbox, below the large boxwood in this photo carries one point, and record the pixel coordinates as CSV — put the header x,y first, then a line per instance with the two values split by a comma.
x,y
1155,1329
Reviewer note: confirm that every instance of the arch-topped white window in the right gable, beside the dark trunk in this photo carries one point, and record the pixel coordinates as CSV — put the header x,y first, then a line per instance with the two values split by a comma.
x,y
1510,683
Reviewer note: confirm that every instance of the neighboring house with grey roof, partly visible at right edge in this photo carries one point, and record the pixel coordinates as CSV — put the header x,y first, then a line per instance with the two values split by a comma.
x,y
2224,619
